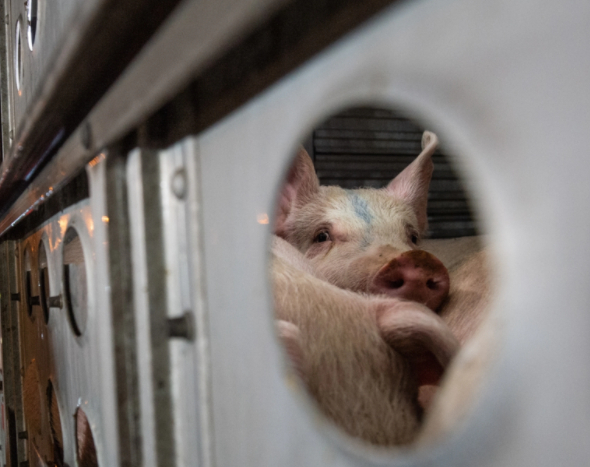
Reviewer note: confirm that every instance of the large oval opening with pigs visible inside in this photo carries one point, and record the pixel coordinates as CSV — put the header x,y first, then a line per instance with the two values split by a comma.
x,y
380,275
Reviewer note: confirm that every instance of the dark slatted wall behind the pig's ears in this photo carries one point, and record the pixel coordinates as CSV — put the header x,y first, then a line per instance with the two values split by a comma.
x,y
366,147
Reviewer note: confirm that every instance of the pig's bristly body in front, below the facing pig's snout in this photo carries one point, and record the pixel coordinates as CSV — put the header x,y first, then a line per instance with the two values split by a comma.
x,y
361,357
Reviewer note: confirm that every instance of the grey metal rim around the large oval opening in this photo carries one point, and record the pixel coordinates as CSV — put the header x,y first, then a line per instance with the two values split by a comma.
x,y
358,448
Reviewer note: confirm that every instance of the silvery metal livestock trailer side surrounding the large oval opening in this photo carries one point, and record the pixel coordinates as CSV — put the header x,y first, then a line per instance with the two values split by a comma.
x,y
143,143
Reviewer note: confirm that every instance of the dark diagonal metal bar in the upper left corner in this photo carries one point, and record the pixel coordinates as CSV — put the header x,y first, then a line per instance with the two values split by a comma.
x,y
101,47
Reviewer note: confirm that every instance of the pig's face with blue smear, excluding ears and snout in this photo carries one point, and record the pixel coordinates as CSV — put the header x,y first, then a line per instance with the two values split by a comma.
x,y
349,235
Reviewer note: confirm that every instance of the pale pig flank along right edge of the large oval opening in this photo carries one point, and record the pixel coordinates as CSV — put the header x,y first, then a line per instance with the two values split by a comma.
x,y
466,312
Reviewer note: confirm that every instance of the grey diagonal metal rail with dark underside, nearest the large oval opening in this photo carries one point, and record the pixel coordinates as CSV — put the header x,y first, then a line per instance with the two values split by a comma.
x,y
199,41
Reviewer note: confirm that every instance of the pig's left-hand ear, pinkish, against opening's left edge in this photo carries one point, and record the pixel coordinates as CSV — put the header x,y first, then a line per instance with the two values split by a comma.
x,y
300,186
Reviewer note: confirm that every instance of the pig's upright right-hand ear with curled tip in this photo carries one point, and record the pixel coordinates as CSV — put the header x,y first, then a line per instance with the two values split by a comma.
x,y
411,185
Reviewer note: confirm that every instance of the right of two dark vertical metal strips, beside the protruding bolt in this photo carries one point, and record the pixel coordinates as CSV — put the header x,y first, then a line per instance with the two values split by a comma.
x,y
157,296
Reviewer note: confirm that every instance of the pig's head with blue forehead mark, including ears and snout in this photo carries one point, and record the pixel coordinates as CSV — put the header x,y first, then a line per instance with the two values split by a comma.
x,y
366,240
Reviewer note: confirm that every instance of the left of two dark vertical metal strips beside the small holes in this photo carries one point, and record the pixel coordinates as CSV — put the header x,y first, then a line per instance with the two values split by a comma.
x,y
123,319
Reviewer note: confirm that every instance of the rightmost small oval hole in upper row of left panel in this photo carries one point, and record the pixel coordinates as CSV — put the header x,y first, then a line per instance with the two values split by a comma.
x,y
75,281
